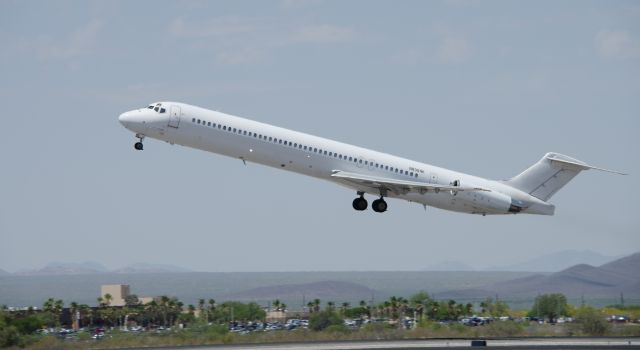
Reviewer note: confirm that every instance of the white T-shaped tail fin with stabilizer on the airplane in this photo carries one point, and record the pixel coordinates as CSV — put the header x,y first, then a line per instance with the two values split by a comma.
x,y
543,179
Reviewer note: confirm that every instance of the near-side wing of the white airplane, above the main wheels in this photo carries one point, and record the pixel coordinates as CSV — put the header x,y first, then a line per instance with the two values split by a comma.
x,y
397,186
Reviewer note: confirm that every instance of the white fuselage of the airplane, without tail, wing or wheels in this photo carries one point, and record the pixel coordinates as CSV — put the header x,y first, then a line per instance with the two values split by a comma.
x,y
242,140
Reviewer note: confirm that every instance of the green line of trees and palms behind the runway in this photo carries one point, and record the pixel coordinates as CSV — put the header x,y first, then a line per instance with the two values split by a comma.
x,y
169,311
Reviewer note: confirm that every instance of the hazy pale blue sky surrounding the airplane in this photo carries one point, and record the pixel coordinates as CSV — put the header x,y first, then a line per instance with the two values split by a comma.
x,y
484,87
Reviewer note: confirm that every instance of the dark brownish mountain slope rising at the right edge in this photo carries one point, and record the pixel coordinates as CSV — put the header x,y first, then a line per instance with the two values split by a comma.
x,y
606,281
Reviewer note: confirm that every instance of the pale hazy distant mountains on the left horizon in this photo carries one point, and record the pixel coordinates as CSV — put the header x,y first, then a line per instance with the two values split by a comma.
x,y
91,267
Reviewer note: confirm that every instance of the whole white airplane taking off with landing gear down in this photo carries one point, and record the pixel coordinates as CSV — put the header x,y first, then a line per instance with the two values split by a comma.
x,y
361,169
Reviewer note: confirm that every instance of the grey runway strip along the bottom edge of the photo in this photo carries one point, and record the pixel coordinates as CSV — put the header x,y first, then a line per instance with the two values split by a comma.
x,y
537,343
